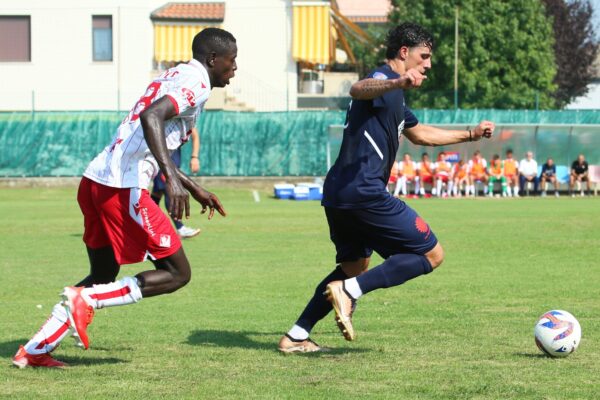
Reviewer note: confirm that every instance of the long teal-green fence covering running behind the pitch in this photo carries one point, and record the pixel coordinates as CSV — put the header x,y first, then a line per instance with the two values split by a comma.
x,y
278,143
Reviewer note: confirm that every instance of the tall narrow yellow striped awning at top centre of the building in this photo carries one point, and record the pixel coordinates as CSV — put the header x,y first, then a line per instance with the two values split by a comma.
x,y
311,40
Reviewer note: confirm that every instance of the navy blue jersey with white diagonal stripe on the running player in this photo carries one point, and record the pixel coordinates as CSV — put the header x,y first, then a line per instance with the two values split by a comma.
x,y
359,177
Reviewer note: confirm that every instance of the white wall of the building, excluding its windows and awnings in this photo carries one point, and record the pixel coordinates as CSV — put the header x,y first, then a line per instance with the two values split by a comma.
x,y
62,75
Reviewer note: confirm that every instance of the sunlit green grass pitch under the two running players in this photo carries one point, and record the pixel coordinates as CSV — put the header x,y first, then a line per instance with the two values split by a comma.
x,y
464,331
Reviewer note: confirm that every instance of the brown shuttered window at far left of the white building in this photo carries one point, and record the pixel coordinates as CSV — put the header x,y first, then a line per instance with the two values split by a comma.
x,y
15,38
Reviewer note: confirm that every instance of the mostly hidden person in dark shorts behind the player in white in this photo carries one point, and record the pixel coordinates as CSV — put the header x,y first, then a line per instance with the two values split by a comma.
x,y
159,188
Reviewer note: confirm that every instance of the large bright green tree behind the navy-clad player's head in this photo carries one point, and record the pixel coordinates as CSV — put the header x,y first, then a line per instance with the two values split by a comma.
x,y
506,58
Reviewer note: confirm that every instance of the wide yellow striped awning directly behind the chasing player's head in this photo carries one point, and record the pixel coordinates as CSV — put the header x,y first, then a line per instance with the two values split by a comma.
x,y
174,42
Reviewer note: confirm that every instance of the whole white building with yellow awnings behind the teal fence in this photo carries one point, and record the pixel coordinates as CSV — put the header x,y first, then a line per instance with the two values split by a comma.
x,y
101,54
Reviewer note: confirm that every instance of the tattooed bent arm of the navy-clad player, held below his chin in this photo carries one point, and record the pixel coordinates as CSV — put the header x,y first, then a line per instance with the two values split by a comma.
x,y
371,88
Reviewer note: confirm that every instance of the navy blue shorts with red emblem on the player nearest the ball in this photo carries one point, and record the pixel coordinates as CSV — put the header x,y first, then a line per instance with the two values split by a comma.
x,y
388,229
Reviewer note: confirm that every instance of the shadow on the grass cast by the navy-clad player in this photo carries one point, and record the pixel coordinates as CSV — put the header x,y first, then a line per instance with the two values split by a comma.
x,y
244,341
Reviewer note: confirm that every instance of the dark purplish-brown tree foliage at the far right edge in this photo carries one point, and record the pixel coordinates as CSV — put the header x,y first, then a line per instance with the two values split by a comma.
x,y
575,47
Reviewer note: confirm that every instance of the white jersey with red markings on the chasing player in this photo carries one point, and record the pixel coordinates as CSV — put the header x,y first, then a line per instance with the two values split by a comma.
x,y
127,162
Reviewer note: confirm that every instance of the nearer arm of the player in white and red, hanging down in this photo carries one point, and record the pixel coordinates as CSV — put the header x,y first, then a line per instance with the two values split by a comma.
x,y
153,123
